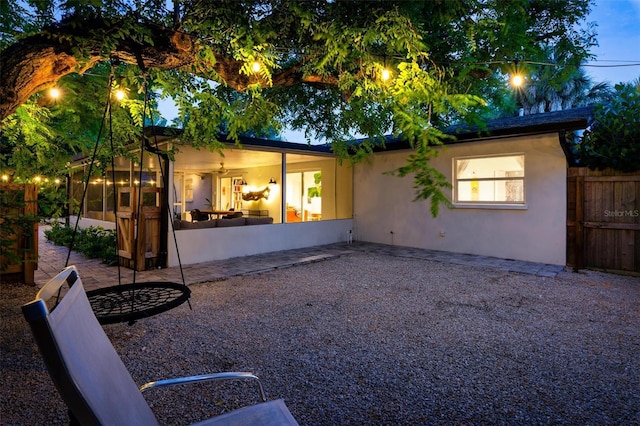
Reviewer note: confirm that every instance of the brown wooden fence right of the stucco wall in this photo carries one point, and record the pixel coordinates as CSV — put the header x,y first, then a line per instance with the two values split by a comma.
x,y
603,220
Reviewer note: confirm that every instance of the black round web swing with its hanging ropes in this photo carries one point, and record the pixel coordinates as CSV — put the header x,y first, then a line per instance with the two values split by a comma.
x,y
133,301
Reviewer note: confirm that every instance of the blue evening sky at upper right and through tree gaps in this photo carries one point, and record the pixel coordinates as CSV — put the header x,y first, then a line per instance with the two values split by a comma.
x,y
618,44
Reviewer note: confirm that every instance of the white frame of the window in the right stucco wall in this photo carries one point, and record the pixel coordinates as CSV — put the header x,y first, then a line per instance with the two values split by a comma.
x,y
489,204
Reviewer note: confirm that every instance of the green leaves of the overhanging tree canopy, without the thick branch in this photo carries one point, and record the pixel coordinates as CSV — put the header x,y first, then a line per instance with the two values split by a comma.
x,y
447,59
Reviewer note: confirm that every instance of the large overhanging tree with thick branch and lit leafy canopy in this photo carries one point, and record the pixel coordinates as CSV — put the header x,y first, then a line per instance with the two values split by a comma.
x,y
321,63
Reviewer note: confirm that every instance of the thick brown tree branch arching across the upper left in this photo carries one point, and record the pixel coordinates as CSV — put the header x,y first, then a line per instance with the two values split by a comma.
x,y
36,63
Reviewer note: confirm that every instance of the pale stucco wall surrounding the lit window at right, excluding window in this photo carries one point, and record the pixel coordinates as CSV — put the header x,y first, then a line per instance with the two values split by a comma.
x,y
385,213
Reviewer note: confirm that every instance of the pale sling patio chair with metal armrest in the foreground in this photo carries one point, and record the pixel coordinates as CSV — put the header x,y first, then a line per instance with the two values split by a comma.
x,y
91,378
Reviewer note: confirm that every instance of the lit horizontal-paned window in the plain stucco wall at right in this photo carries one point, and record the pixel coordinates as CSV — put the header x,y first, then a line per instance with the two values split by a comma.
x,y
490,180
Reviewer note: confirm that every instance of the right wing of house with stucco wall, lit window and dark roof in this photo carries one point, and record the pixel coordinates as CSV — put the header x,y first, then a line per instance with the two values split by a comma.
x,y
508,191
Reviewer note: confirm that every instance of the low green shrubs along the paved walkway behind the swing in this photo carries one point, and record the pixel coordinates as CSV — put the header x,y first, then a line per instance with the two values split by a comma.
x,y
93,242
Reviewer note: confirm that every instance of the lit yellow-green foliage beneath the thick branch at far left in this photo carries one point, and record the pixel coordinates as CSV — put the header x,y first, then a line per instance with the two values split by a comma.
x,y
42,136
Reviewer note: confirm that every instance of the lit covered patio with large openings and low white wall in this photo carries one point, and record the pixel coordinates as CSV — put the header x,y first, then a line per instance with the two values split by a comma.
x,y
302,192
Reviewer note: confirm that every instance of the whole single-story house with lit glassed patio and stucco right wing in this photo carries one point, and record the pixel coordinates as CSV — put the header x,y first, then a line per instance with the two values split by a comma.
x,y
508,194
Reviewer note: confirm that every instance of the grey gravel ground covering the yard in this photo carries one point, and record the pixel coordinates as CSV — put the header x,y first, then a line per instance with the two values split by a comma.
x,y
374,340
